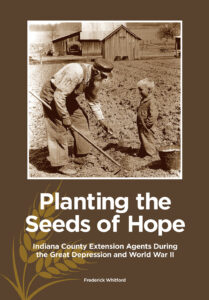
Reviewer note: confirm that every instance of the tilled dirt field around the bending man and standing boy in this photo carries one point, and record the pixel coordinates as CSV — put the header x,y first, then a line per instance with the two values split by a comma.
x,y
119,99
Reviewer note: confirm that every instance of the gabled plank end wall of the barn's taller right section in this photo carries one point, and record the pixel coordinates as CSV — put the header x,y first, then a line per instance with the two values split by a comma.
x,y
122,44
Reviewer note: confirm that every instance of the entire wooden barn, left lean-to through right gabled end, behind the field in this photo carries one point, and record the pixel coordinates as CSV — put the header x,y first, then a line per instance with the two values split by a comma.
x,y
121,43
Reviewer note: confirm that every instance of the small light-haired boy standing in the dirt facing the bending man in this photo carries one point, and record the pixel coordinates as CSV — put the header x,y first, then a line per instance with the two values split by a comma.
x,y
147,114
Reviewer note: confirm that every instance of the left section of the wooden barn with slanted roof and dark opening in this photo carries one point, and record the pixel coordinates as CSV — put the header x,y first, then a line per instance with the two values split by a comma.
x,y
61,45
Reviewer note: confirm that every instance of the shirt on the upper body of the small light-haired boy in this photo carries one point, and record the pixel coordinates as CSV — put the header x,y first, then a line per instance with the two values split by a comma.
x,y
147,112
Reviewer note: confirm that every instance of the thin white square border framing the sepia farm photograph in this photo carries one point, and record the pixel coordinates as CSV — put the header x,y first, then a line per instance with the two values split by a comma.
x,y
181,101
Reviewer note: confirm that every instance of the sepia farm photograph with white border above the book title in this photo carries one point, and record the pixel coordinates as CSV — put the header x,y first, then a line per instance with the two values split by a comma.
x,y
104,99
